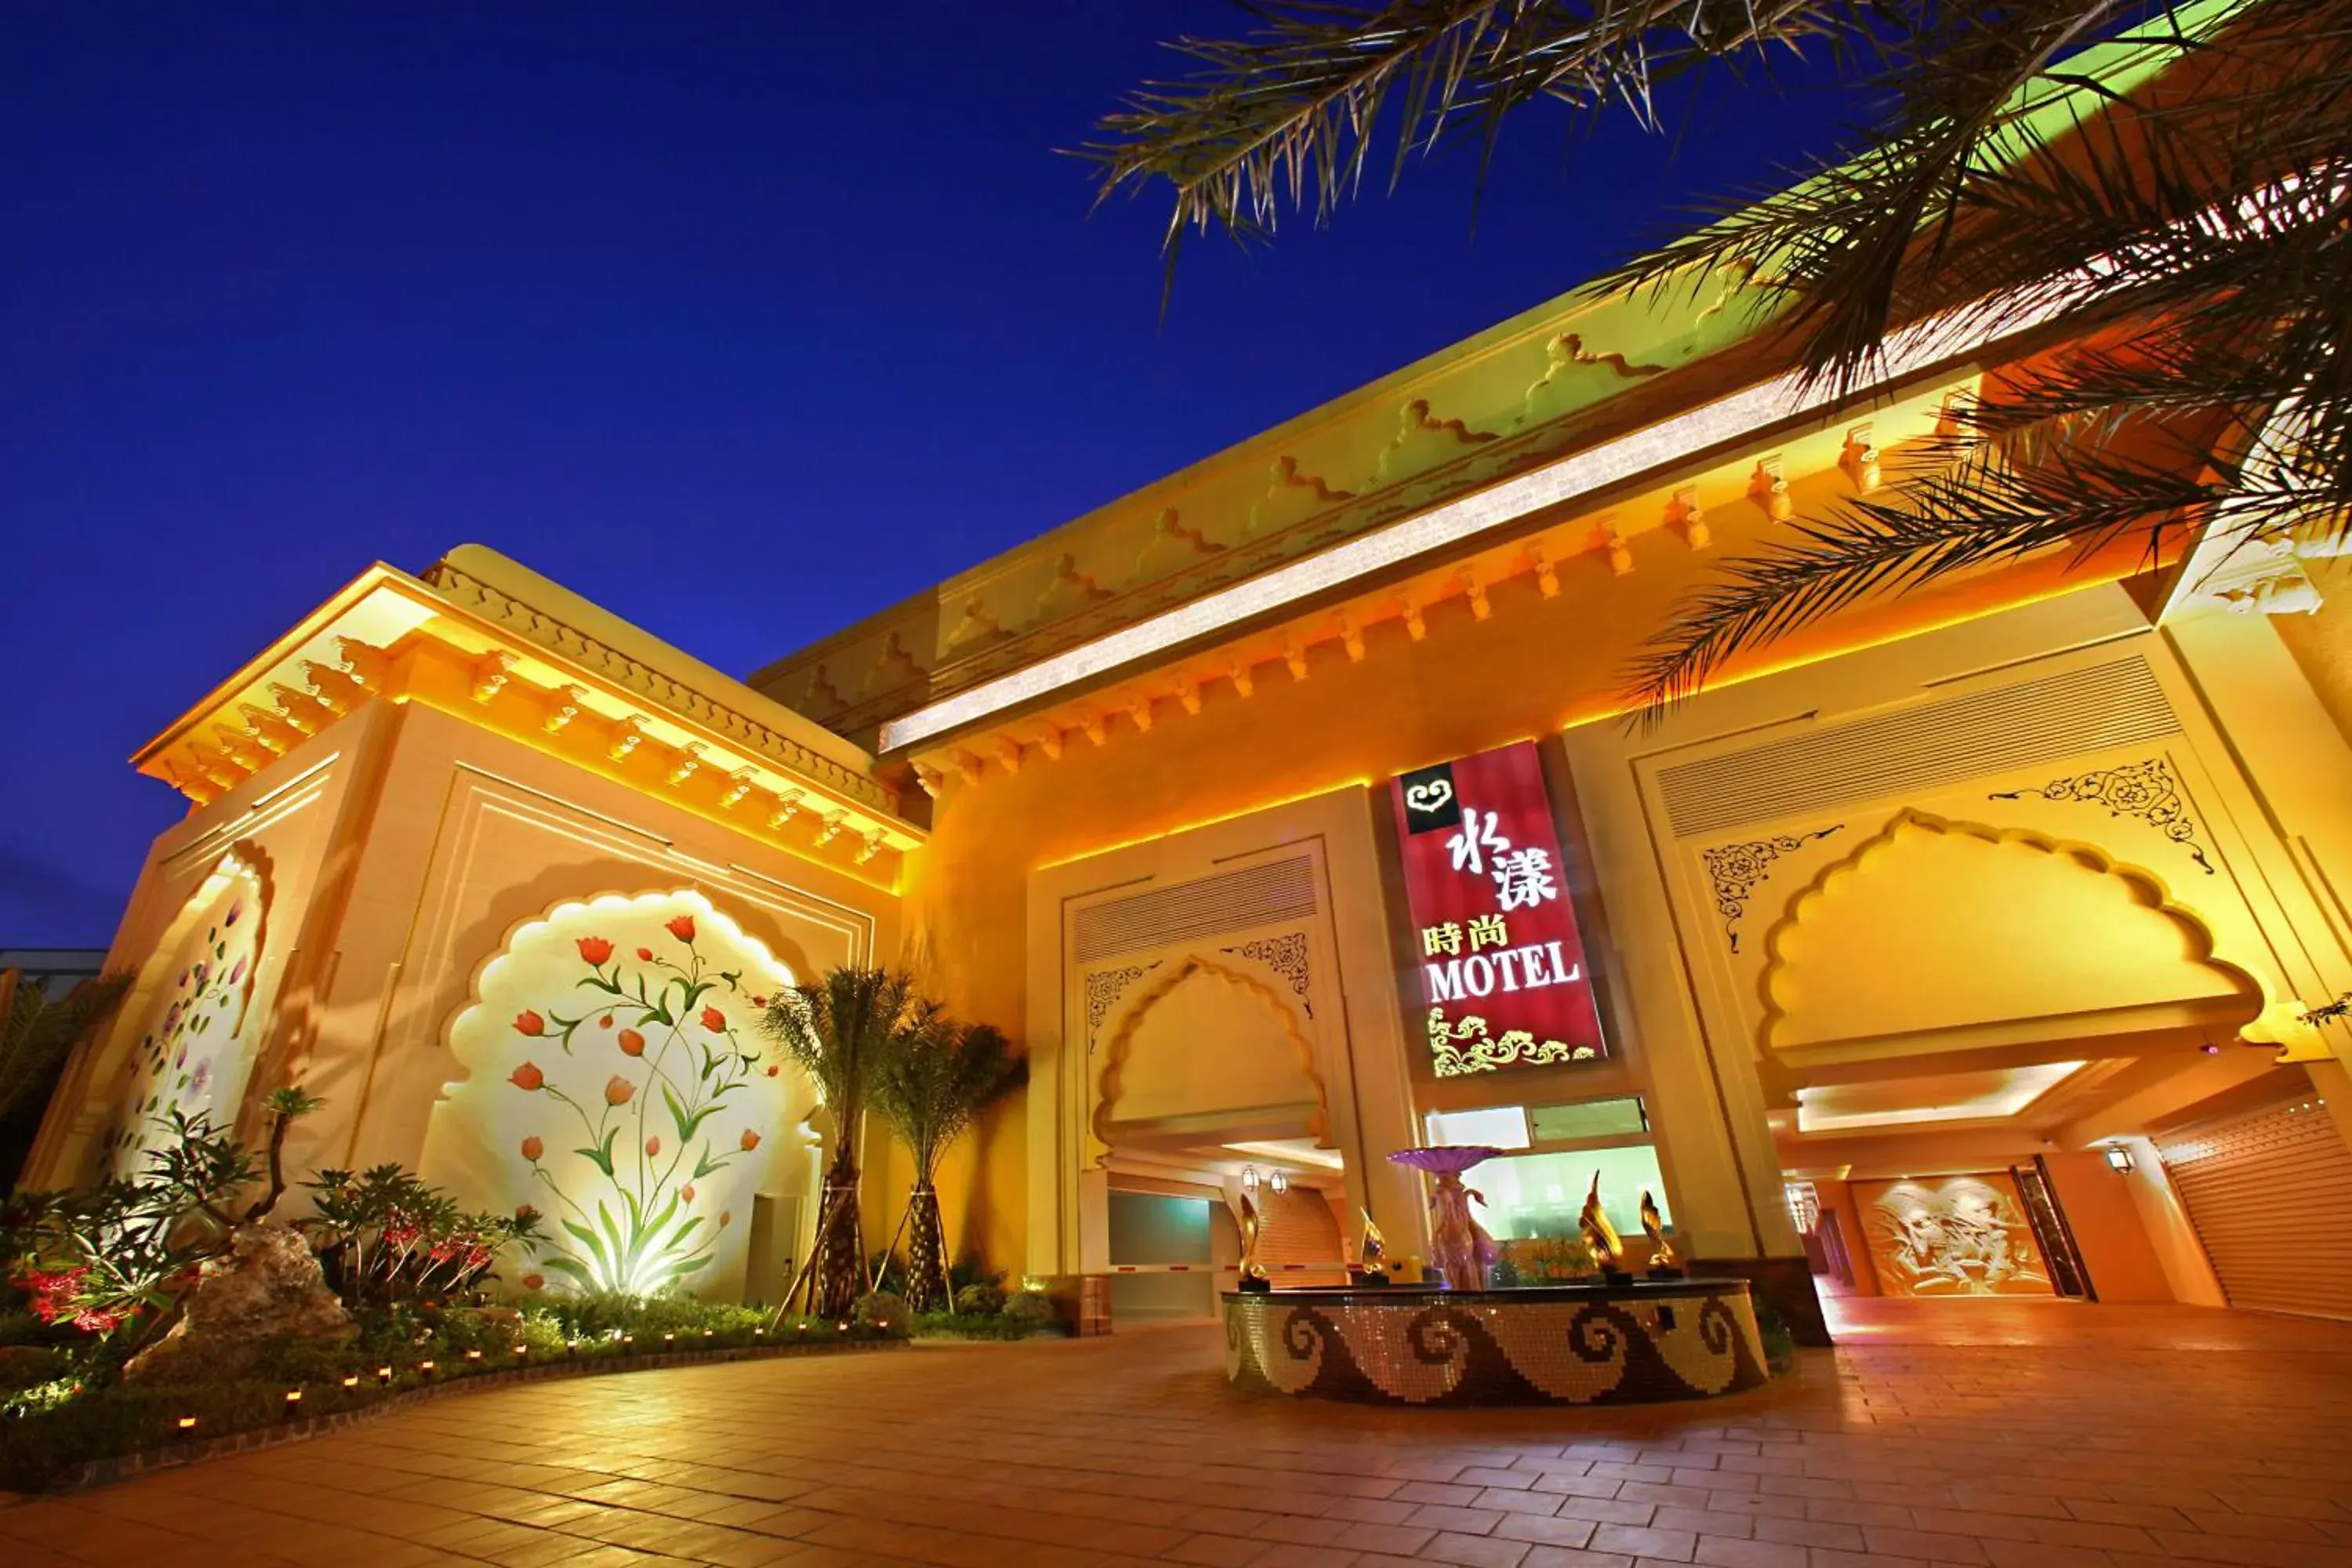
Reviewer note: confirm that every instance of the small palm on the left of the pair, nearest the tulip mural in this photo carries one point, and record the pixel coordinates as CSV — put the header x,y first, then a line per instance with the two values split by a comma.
x,y
846,1031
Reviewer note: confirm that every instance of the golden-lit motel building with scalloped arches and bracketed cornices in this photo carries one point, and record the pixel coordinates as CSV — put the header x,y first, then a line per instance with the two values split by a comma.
x,y
1977,944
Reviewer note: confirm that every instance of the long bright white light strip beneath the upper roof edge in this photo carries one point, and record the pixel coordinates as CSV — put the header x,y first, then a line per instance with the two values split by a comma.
x,y
1728,420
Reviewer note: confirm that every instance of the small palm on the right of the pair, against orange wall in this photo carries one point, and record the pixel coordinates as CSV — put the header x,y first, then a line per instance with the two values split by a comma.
x,y
933,1094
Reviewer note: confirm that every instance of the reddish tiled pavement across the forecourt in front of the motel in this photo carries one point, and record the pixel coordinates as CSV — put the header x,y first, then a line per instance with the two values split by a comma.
x,y
1958,1433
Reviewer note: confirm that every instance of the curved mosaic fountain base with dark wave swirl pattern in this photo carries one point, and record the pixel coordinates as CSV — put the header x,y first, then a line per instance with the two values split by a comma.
x,y
1419,1346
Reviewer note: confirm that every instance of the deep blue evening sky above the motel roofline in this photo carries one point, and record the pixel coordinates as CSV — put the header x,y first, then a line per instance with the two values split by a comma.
x,y
742,321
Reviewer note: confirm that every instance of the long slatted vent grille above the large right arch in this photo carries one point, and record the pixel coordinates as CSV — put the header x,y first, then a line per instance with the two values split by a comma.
x,y
1937,744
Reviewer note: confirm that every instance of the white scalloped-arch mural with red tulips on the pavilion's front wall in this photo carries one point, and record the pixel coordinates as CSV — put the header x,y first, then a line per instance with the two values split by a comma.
x,y
622,1087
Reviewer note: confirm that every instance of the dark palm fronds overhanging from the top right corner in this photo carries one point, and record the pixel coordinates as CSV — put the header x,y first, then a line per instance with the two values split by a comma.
x,y
2193,229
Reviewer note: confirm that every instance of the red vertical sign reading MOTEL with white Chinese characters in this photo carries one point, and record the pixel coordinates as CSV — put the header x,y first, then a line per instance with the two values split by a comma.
x,y
1502,960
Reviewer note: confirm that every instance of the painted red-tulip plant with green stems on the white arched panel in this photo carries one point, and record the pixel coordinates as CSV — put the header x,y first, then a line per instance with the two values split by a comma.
x,y
653,1017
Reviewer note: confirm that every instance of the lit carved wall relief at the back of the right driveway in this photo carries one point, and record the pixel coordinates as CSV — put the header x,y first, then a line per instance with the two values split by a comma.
x,y
1963,1235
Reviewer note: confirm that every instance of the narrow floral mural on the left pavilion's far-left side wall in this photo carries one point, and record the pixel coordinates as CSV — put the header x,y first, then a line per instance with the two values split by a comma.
x,y
196,1019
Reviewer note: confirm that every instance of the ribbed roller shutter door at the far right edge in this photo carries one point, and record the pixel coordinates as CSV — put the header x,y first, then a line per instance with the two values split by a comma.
x,y
2271,1198
